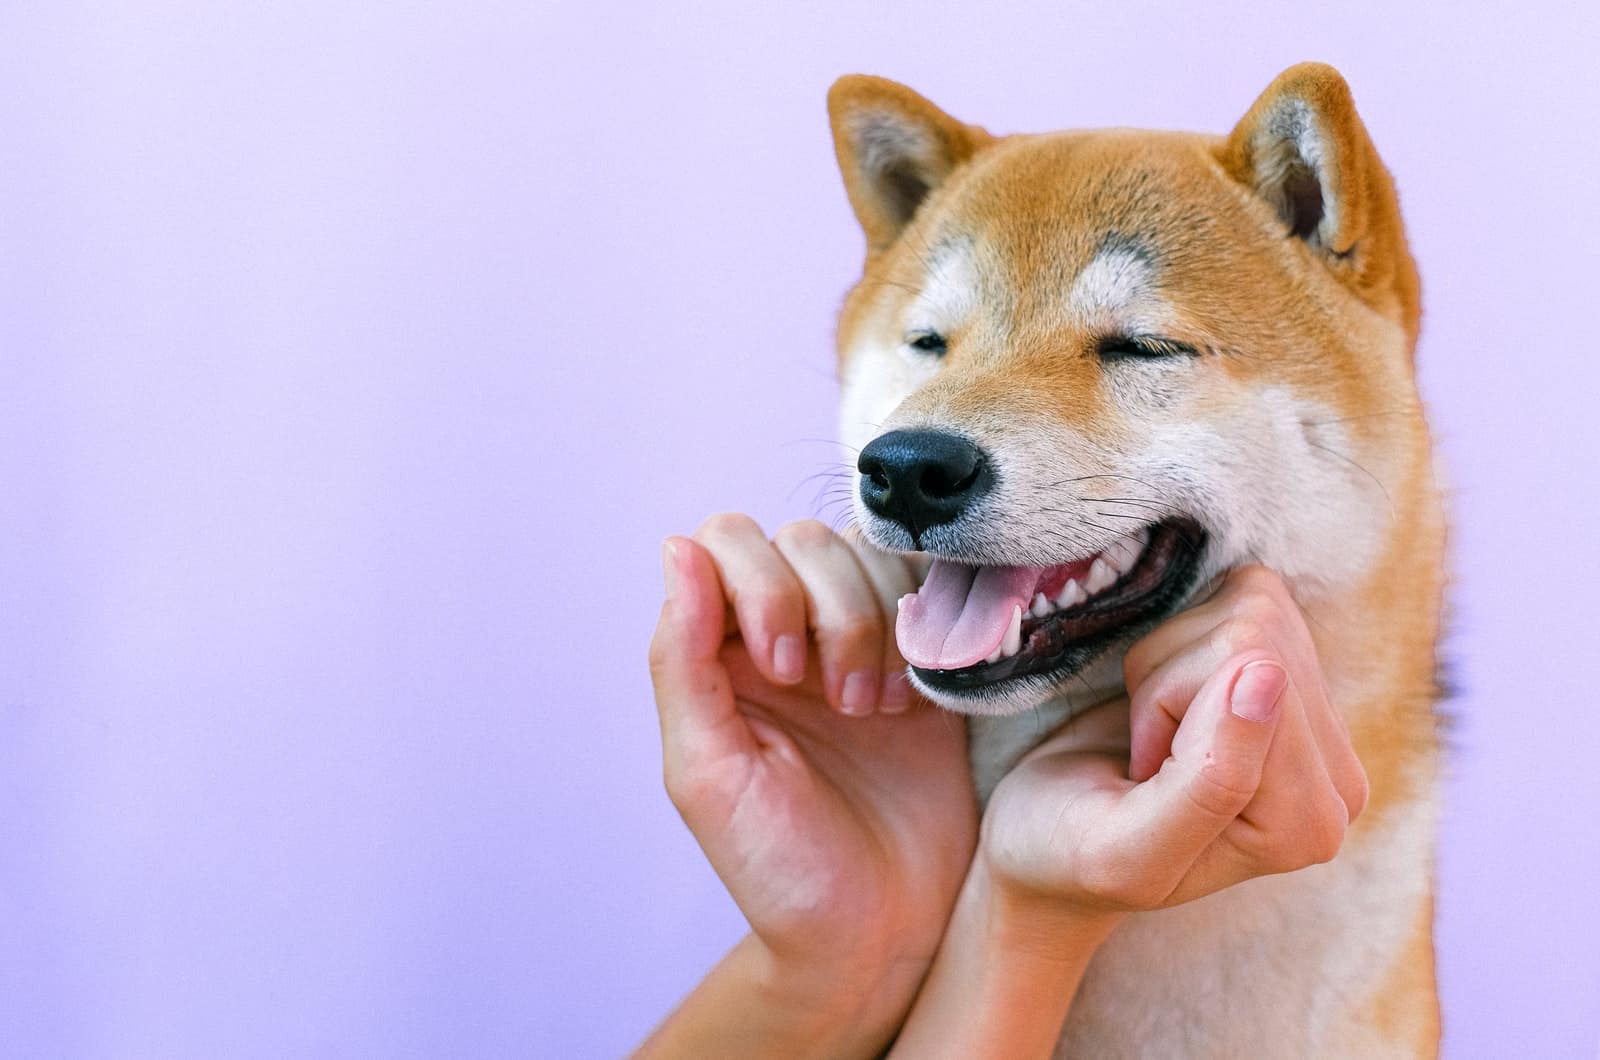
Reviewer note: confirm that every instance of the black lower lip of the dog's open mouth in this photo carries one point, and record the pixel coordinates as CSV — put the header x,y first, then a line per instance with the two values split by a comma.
x,y
1063,644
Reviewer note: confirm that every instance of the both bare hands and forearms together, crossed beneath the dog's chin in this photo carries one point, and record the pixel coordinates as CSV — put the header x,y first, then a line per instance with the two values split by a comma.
x,y
850,840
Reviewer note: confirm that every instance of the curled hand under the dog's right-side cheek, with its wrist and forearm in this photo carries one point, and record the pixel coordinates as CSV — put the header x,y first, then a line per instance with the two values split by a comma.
x,y
1225,763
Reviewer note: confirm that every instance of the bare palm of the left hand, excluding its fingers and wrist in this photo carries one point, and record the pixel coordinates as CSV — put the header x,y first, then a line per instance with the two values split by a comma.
x,y
841,829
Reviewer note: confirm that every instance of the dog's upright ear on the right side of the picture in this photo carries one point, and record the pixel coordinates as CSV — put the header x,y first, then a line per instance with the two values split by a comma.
x,y
1305,151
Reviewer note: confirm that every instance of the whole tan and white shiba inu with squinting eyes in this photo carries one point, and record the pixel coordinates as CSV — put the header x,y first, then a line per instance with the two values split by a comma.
x,y
1090,372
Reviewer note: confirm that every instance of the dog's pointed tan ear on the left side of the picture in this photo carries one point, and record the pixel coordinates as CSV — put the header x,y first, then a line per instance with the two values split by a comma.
x,y
894,148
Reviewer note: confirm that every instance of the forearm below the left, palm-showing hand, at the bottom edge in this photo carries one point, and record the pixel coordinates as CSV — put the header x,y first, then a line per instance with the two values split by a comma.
x,y
754,1006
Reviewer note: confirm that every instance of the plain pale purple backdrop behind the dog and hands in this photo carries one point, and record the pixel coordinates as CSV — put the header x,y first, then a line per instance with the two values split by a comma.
x,y
356,358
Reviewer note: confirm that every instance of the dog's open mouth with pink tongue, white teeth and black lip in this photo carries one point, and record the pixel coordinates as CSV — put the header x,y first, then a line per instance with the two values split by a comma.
x,y
972,628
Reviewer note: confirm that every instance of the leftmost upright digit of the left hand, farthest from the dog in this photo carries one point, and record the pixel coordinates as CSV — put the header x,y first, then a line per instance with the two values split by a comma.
x,y
695,702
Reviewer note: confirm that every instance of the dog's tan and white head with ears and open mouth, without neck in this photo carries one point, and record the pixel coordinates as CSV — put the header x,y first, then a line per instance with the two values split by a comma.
x,y
1087,372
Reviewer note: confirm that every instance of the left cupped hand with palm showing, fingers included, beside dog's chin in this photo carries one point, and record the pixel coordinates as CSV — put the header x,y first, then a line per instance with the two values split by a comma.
x,y
834,805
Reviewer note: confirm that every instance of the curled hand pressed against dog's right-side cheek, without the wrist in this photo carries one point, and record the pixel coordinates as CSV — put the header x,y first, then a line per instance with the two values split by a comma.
x,y
1225,763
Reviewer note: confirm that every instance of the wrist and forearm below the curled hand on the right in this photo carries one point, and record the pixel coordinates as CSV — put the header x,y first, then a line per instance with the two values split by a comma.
x,y
1004,979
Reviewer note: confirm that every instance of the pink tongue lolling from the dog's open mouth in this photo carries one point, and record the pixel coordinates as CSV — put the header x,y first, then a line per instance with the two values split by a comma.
x,y
961,614
